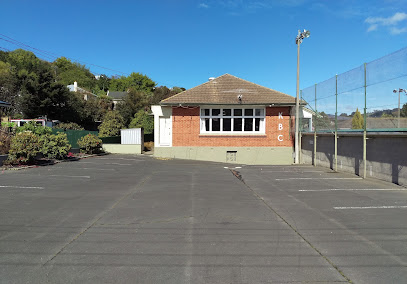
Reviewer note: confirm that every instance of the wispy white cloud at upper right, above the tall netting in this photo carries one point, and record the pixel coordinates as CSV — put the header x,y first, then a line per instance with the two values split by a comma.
x,y
392,22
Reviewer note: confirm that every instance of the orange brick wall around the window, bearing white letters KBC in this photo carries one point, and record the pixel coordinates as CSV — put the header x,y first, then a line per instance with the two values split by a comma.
x,y
186,130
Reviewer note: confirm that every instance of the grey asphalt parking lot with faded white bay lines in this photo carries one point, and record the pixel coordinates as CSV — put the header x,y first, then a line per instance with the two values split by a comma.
x,y
135,219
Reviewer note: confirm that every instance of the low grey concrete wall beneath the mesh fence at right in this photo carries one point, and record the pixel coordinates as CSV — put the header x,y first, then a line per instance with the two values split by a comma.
x,y
386,155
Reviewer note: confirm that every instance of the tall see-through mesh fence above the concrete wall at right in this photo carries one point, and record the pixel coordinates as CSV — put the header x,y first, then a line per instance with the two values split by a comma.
x,y
372,97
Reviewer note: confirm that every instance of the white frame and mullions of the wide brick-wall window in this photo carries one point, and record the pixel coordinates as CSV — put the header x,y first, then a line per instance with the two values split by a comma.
x,y
262,128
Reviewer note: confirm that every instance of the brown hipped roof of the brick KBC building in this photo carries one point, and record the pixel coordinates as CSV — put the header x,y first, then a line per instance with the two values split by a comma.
x,y
225,90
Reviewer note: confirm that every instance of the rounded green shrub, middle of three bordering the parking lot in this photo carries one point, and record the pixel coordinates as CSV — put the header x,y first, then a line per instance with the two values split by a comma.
x,y
55,146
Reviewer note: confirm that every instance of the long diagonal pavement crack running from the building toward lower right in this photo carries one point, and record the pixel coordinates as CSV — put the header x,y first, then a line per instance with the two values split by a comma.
x,y
239,176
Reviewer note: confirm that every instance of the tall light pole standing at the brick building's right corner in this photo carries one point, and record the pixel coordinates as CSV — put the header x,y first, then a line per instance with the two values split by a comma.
x,y
298,41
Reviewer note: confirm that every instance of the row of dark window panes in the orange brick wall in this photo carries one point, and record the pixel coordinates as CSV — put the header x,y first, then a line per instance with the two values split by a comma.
x,y
230,120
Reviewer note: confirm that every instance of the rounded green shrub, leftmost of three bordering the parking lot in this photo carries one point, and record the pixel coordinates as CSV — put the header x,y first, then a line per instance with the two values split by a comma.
x,y
24,147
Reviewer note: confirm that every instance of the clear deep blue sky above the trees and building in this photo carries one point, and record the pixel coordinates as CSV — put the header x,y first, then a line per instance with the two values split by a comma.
x,y
184,42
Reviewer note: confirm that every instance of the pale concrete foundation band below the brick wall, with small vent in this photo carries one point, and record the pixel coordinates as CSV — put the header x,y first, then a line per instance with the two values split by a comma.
x,y
236,155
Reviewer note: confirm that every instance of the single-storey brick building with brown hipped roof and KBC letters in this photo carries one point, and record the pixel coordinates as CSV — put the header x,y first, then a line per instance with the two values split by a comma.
x,y
226,119
